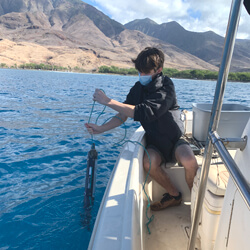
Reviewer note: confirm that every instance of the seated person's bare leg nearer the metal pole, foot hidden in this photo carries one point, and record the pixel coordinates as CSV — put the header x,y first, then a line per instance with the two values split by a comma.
x,y
185,156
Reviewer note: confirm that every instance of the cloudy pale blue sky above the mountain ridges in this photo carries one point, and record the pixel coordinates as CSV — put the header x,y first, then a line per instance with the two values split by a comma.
x,y
193,15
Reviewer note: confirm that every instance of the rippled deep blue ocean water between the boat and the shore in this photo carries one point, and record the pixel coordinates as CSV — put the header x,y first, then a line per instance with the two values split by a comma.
x,y
44,146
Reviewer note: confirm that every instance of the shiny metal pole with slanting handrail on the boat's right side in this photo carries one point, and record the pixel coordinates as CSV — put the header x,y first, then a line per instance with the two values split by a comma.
x,y
233,23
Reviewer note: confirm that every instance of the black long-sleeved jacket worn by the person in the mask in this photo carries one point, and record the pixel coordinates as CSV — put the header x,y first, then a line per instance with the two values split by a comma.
x,y
152,104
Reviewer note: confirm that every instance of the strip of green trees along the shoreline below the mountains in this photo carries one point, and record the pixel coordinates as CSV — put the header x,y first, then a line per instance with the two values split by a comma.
x,y
184,74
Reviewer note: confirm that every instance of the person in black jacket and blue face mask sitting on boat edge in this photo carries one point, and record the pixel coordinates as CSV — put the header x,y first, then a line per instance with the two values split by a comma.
x,y
150,101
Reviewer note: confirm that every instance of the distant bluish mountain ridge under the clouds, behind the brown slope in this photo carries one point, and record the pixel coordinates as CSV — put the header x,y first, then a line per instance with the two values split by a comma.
x,y
207,46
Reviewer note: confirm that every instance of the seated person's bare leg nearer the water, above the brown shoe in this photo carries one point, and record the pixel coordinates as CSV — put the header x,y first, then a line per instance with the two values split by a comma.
x,y
157,173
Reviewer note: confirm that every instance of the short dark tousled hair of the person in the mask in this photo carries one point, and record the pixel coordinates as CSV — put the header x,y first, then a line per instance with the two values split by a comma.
x,y
148,59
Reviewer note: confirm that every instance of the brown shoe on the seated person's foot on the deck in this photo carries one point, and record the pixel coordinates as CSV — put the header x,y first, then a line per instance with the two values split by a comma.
x,y
167,201
